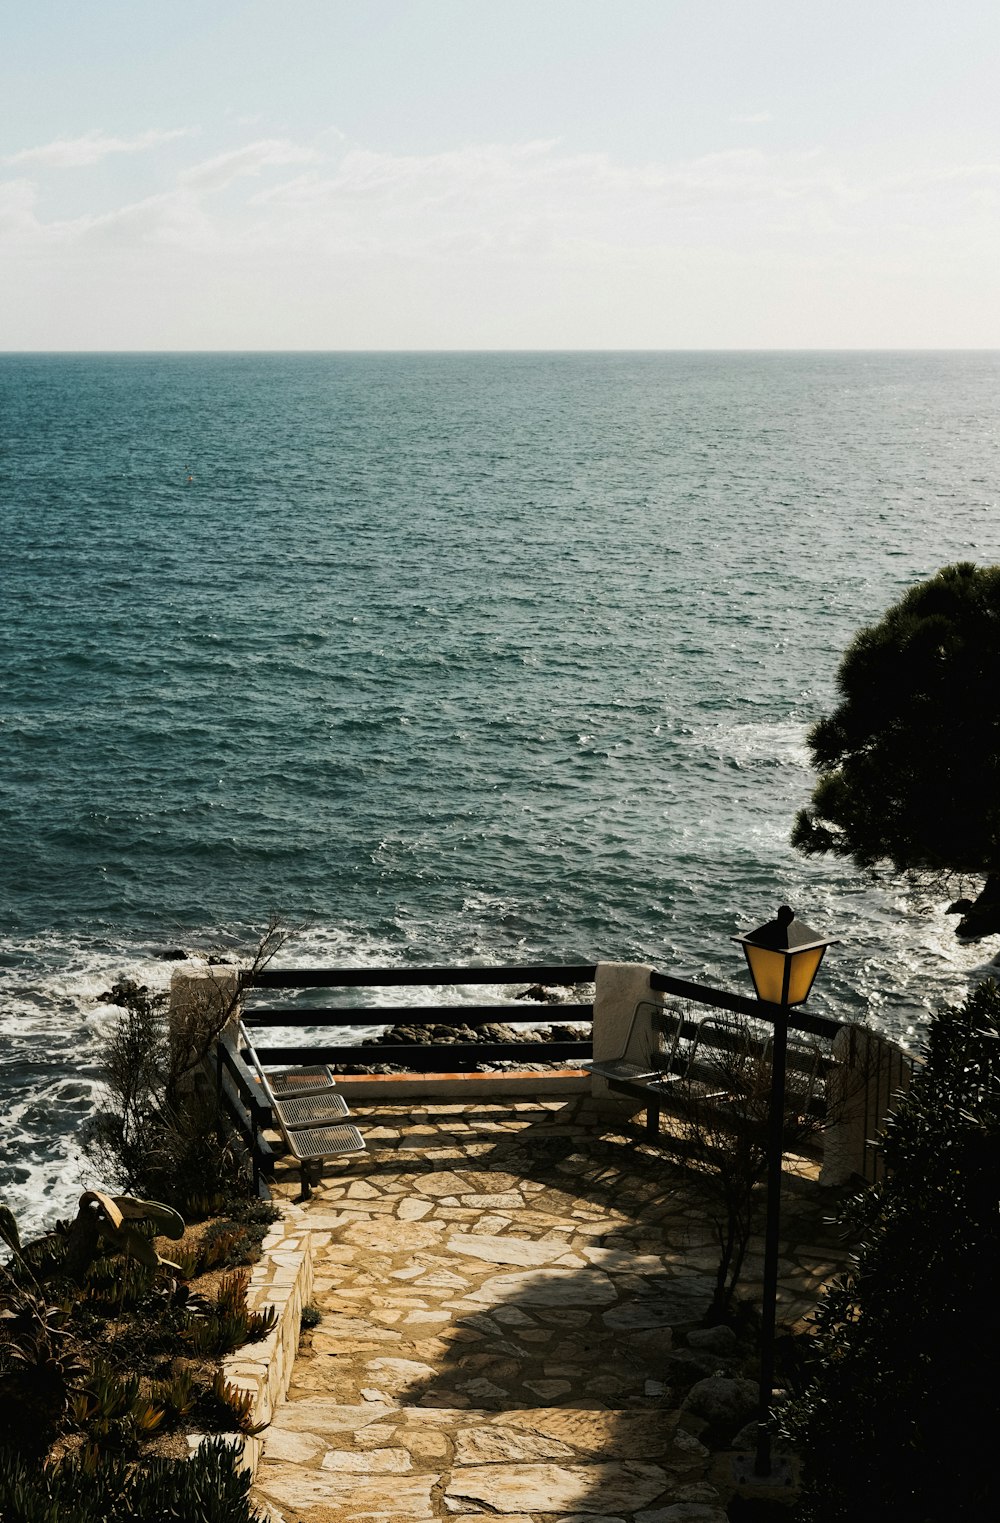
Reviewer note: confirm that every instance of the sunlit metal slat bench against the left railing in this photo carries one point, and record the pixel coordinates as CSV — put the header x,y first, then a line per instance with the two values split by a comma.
x,y
308,1111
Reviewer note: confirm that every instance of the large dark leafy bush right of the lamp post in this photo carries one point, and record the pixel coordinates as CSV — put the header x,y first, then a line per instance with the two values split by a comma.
x,y
899,1419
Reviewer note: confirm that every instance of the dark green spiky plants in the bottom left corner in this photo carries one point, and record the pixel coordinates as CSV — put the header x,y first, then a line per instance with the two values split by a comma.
x,y
208,1489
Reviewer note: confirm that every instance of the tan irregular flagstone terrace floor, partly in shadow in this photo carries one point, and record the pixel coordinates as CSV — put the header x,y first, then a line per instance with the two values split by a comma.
x,y
506,1292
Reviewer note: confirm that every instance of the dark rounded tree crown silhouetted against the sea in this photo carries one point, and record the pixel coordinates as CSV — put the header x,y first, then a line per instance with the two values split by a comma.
x,y
909,761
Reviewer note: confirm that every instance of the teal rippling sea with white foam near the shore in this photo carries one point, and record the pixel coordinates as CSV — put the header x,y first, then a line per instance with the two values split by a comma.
x,y
447,659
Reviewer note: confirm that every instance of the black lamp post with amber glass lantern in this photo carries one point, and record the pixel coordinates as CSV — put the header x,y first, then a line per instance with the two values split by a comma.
x,y
783,957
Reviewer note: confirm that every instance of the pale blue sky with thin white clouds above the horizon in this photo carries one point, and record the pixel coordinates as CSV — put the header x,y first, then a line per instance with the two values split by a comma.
x,y
500,174
